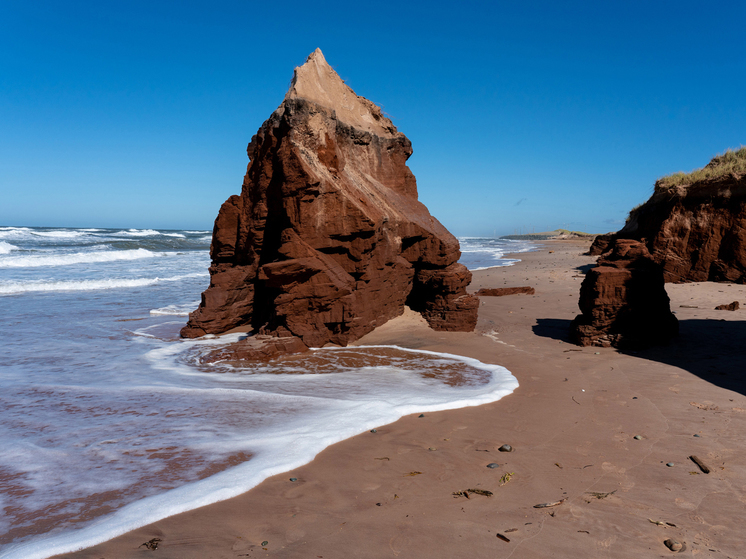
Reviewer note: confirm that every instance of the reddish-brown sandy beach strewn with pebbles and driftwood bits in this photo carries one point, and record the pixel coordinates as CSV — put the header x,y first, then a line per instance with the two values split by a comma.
x,y
594,428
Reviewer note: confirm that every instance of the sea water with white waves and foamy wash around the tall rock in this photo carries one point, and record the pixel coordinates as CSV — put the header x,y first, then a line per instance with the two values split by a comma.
x,y
110,421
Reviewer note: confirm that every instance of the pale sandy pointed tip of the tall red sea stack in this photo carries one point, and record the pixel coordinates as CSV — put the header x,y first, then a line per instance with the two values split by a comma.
x,y
316,81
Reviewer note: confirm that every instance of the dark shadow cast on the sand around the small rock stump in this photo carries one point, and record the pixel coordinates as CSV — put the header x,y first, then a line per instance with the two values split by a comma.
x,y
712,349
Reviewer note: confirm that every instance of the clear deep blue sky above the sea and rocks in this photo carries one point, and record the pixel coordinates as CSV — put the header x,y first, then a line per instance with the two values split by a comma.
x,y
522,115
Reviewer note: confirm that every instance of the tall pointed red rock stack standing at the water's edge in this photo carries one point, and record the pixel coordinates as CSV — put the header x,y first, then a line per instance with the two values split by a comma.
x,y
327,239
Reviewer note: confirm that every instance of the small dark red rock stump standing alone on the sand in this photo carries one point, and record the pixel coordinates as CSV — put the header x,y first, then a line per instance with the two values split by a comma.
x,y
624,301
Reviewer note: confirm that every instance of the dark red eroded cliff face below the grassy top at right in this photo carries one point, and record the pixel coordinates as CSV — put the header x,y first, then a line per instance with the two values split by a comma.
x,y
697,232
